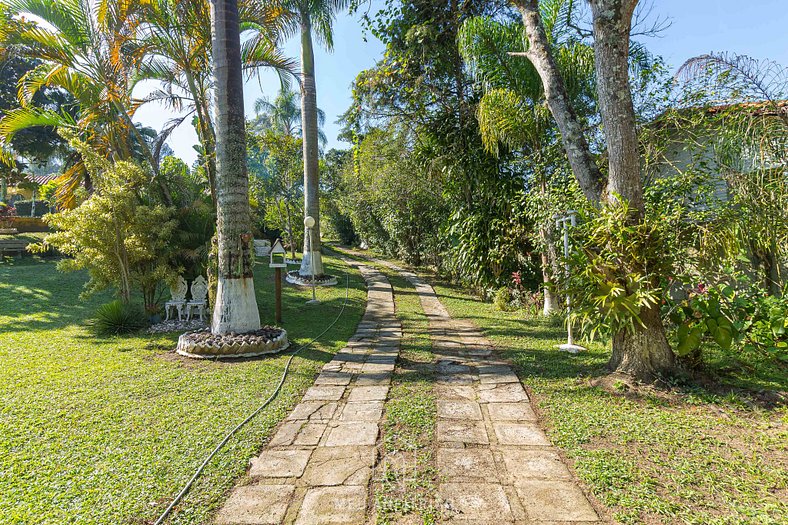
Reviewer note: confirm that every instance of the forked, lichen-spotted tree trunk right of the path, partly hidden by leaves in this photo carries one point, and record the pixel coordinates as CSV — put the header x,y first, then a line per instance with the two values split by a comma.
x,y
646,352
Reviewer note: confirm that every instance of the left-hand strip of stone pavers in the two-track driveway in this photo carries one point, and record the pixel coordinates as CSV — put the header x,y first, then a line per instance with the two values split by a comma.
x,y
317,467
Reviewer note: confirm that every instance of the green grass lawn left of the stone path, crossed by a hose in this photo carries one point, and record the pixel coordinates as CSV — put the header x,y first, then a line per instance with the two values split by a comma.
x,y
107,430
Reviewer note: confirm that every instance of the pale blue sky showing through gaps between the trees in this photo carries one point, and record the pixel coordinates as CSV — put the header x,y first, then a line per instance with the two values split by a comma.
x,y
758,28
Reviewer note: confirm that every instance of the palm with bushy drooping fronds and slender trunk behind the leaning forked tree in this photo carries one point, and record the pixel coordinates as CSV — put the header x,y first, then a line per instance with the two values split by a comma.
x,y
512,109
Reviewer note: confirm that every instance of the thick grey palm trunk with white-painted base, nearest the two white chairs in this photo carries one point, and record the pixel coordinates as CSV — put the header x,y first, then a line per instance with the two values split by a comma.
x,y
236,307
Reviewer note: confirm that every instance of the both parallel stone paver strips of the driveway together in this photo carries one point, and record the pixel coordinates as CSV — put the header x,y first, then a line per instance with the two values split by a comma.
x,y
495,464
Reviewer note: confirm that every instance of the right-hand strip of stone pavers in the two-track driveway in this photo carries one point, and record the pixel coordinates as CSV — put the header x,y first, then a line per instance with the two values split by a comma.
x,y
495,464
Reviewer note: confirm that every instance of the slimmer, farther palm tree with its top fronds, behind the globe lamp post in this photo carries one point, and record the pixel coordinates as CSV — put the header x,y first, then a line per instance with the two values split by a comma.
x,y
313,16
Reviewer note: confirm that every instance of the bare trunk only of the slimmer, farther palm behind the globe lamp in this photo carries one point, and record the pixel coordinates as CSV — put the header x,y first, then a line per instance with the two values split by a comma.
x,y
312,259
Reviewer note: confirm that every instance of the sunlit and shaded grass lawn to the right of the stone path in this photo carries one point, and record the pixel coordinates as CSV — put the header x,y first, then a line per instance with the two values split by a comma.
x,y
678,455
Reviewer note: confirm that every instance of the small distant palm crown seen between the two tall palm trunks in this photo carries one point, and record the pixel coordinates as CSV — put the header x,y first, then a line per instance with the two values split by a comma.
x,y
283,115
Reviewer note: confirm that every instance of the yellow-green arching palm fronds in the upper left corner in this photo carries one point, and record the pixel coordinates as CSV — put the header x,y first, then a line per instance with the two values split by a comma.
x,y
86,49
